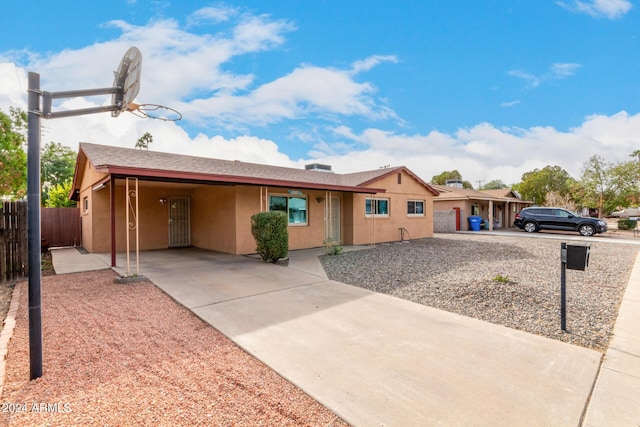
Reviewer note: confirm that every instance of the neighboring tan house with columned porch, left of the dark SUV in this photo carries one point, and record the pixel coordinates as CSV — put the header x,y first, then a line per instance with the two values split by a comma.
x,y
453,206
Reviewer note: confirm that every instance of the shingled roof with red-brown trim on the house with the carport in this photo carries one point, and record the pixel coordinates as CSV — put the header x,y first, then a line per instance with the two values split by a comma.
x,y
121,162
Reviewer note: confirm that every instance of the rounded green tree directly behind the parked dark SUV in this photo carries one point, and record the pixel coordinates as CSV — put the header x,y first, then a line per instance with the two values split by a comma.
x,y
537,183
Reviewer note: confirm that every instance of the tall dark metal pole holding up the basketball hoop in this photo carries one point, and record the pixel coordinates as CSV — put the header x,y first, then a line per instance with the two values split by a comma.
x,y
33,224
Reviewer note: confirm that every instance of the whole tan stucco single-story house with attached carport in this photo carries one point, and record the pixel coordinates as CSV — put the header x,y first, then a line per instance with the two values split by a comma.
x,y
208,203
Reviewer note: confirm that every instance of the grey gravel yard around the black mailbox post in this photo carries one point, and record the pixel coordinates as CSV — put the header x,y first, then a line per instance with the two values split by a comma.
x,y
510,281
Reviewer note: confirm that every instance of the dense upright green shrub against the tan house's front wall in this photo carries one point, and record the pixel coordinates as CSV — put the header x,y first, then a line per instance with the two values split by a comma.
x,y
271,234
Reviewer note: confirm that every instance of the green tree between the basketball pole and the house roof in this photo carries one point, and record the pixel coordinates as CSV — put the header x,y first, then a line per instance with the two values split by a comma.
x,y
58,164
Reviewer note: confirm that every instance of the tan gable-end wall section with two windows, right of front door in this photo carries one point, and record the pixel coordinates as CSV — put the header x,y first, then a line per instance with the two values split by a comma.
x,y
367,229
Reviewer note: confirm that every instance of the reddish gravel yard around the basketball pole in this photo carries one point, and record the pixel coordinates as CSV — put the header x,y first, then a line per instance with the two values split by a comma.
x,y
124,355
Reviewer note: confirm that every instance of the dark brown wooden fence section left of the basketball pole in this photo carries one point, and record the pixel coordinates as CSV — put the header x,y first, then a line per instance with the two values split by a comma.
x,y
13,241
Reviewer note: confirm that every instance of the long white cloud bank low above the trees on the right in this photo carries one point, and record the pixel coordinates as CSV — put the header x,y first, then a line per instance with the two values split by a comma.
x,y
484,152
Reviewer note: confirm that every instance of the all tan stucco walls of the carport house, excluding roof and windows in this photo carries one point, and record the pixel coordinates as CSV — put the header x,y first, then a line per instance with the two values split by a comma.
x,y
220,215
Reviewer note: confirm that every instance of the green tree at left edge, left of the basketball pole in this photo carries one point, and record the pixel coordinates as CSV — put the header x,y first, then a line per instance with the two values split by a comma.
x,y
13,158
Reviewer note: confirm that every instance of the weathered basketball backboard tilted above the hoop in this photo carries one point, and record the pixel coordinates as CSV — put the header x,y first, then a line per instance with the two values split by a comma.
x,y
127,80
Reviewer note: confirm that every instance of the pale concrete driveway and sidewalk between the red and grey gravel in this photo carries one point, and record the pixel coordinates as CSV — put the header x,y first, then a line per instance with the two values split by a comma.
x,y
378,360
